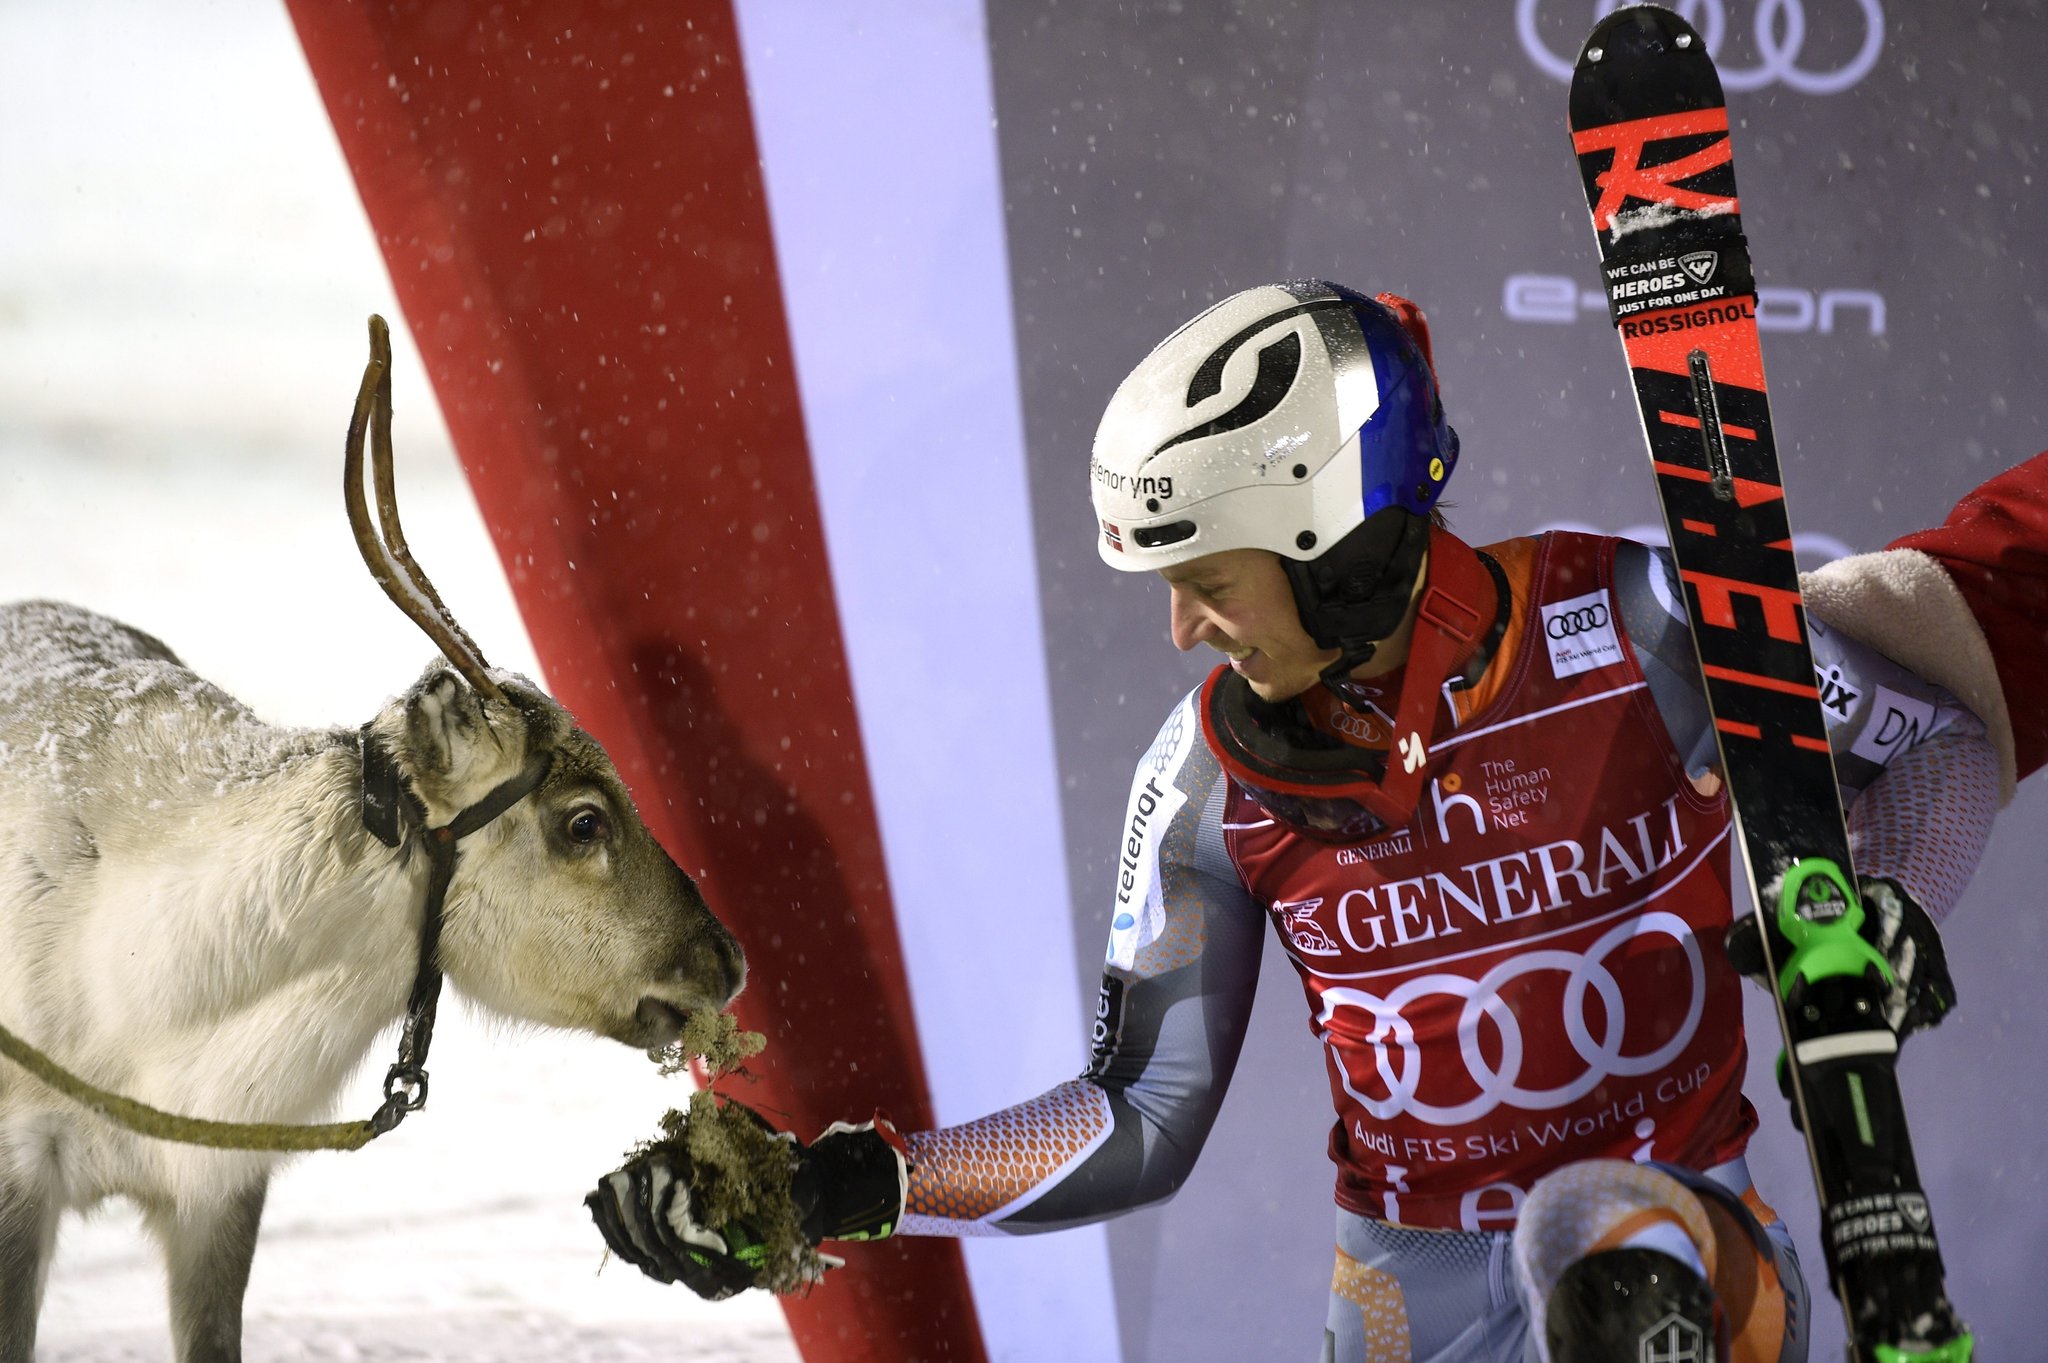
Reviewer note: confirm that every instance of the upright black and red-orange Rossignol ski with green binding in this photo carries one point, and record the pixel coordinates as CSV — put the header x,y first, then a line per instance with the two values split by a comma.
x,y
1652,132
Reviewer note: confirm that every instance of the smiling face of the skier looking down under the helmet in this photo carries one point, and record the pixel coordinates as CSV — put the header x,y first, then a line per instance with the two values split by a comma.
x,y
1240,605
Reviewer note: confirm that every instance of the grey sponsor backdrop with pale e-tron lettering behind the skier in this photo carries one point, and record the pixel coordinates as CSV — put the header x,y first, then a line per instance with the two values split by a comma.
x,y
1158,157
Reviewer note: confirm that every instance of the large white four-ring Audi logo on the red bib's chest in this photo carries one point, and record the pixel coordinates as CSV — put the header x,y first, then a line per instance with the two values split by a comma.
x,y
1398,1065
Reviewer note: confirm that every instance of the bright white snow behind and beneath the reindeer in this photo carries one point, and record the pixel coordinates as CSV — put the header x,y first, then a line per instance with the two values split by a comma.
x,y
183,281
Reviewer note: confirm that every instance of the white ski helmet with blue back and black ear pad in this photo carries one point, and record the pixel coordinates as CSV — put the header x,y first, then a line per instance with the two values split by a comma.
x,y
1302,419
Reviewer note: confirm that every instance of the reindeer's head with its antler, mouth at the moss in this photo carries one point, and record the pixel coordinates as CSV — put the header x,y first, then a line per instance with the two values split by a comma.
x,y
564,908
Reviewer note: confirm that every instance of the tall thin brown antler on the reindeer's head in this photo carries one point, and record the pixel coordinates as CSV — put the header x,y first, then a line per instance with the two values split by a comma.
x,y
388,558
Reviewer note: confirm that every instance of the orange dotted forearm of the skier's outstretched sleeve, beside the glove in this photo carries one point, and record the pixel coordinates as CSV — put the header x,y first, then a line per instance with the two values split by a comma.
x,y
964,1176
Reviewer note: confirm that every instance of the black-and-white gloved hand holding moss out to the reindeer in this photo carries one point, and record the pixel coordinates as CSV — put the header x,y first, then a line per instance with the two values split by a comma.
x,y
849,1186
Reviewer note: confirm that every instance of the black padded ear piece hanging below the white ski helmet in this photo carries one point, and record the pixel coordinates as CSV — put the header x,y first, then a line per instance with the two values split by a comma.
x,y
1359,590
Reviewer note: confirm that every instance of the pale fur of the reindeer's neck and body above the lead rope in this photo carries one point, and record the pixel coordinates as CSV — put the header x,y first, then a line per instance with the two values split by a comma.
x,y
200,918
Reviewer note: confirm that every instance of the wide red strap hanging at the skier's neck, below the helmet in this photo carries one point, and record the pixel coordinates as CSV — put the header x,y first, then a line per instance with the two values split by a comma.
x,y
1455,611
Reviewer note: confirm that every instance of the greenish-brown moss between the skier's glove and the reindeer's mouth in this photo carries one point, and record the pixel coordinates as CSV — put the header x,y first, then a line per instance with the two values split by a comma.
x,y
740,1170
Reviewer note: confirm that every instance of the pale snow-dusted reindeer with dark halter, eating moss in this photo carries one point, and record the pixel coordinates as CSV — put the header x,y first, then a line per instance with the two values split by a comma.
x,y
216,916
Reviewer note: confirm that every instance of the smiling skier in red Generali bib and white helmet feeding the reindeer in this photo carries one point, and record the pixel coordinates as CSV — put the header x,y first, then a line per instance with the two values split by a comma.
x,y
1474,791
